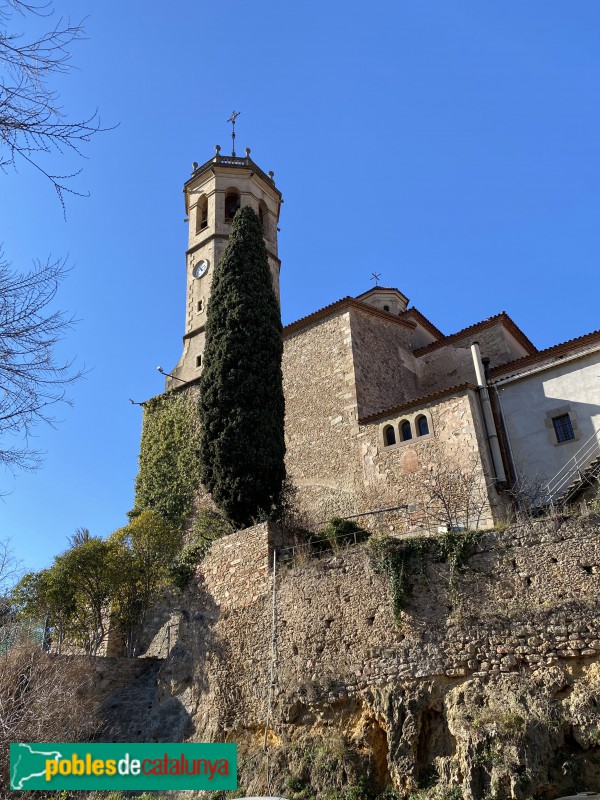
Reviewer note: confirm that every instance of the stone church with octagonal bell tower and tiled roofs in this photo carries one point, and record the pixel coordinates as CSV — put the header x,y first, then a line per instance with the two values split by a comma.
x,y
389,421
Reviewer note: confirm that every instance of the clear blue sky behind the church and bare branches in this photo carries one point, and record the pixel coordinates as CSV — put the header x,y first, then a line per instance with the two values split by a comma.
x,y
452,147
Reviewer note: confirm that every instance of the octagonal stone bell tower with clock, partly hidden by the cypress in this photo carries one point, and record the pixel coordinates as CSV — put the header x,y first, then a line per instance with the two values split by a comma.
x,y
213,194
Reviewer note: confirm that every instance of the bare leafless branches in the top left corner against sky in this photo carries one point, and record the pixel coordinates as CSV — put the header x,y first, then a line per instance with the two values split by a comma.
x,y
32,122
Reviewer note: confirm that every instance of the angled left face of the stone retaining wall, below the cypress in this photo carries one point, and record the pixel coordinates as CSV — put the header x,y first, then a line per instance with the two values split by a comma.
x,y
218,668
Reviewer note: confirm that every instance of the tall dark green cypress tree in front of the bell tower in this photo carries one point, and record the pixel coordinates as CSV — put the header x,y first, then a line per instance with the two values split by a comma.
x,y
241,394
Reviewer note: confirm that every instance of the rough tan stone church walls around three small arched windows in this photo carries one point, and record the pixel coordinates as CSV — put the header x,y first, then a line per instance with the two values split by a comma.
x,y
341,468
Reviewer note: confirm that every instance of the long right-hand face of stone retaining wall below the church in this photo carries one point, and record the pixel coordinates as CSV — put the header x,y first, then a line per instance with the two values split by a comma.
x,y
527,600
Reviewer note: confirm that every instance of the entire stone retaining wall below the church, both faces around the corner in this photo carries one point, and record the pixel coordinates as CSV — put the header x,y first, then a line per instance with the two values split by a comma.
x,y
528,599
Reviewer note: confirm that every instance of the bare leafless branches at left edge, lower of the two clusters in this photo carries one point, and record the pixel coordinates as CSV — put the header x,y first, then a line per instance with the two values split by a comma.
x,y
31,379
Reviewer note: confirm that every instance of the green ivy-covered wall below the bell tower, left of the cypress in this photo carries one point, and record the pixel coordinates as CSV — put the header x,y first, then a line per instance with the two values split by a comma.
x,y
168,477
